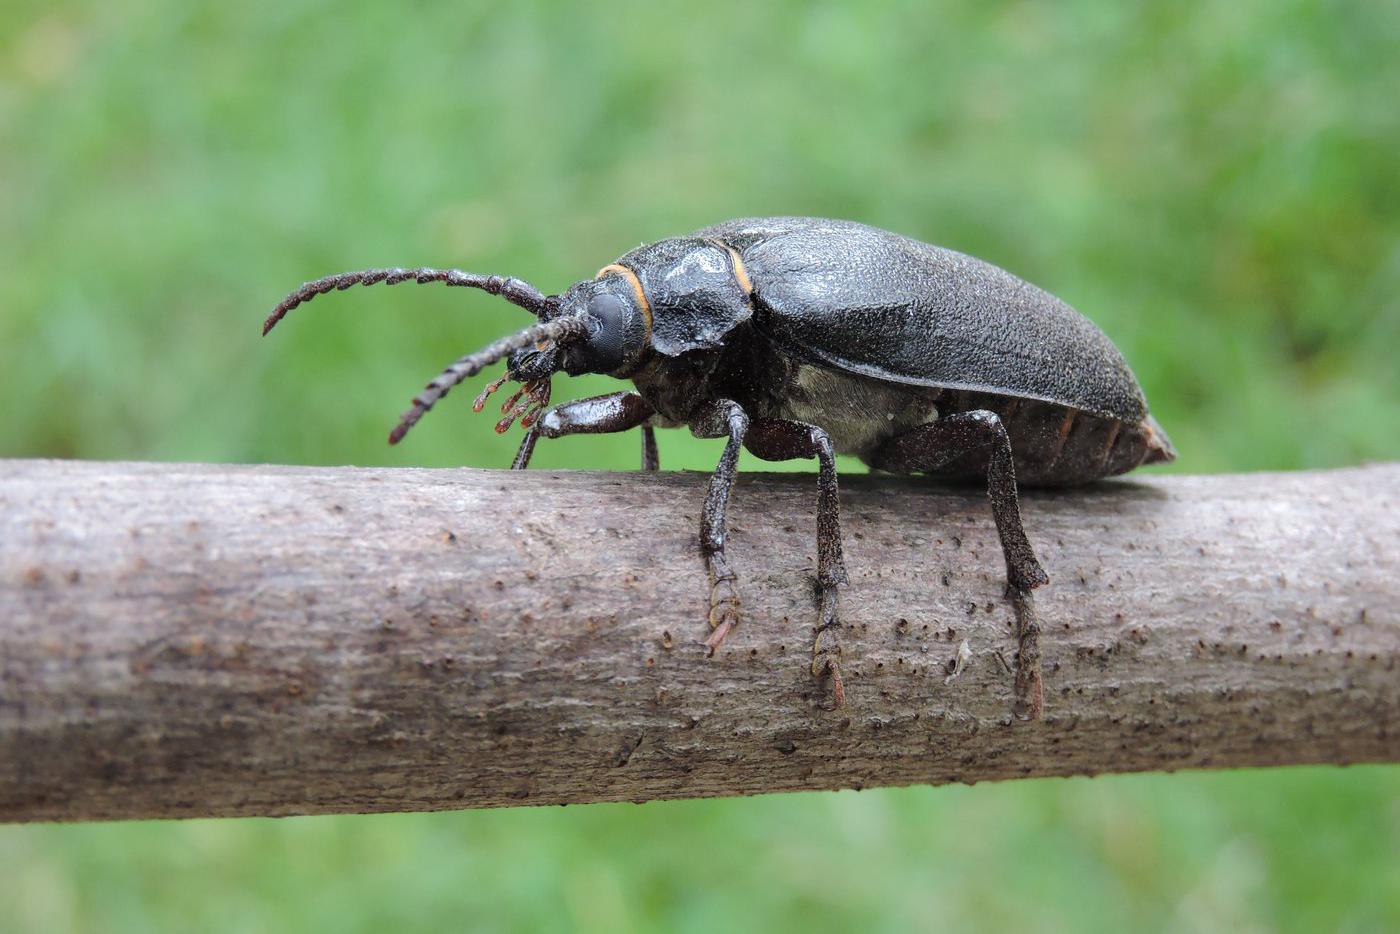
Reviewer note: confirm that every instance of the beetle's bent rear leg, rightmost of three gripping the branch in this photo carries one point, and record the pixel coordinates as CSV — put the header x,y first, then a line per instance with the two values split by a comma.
x,y
933,446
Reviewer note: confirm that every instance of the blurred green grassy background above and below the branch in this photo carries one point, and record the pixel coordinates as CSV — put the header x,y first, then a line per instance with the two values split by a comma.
x,y
1217,186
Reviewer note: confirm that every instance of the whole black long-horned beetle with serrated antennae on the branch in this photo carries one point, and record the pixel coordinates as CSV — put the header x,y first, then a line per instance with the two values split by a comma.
x,y
808,338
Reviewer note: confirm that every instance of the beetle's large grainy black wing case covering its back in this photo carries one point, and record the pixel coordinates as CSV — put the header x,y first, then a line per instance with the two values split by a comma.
x,y
870,302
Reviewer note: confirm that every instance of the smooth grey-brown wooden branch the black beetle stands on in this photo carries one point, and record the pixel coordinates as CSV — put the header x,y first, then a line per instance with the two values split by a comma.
x,y
192,641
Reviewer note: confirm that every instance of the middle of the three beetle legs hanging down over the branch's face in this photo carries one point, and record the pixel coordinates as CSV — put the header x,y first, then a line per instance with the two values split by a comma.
x,y
780,440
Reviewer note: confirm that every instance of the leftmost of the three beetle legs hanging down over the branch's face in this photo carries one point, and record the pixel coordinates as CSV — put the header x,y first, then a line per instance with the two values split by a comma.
x,y
720,419
